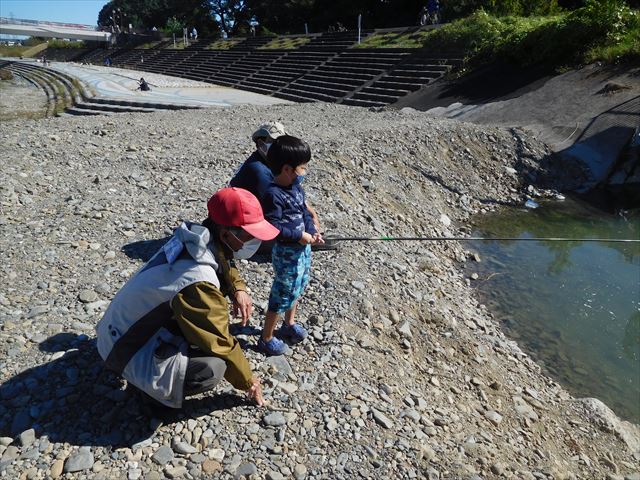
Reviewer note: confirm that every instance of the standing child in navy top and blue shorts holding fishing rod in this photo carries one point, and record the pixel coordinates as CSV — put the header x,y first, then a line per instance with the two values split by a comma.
x,y
284,207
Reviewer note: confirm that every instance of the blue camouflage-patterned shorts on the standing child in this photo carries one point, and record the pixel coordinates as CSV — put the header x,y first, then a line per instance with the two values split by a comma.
x,y
291,265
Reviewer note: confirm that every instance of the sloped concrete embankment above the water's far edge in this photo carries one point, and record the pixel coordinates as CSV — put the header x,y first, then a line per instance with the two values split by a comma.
x,y
587,116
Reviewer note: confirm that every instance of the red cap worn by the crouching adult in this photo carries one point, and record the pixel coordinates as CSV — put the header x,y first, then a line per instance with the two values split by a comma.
x,y
237,207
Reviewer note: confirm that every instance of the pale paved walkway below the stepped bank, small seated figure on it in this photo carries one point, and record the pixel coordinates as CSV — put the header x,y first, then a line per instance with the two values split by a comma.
x,y
122,84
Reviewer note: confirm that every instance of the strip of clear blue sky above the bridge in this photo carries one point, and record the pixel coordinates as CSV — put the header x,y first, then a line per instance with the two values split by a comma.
x,y
68,11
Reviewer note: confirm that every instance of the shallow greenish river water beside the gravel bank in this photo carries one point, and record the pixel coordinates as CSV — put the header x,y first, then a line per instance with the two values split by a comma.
x,y
573,306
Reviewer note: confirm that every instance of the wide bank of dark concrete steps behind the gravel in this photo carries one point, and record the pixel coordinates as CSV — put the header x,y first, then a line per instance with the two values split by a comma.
x,y
324,69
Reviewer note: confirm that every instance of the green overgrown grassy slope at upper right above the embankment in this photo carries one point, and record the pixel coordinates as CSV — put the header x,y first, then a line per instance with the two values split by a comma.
x,y
601,31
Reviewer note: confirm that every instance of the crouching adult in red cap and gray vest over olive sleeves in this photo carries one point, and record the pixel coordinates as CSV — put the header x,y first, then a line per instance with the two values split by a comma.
x,y
167,330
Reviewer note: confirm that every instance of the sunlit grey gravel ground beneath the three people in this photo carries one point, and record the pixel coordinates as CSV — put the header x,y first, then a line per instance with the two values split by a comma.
x,y
404,375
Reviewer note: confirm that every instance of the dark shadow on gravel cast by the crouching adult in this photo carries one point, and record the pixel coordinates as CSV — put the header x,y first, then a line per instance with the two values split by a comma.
x,y
73,399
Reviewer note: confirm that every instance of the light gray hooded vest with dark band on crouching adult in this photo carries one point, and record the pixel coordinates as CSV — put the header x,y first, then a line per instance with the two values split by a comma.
x,y
133,335
